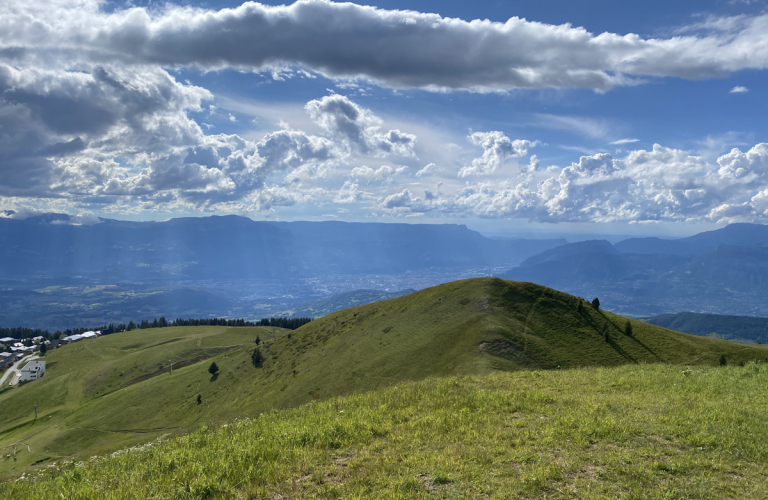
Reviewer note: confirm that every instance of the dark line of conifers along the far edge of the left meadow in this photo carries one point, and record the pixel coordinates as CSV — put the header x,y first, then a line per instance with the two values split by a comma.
x,y
27,333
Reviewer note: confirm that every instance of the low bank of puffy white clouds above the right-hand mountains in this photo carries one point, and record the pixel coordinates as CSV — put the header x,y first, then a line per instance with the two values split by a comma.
x,y
661,184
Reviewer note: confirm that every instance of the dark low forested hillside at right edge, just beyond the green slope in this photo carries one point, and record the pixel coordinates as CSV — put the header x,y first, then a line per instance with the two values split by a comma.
x,y
741,328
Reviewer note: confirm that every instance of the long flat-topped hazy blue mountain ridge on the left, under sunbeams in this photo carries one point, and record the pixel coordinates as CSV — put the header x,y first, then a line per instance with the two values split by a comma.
x,y
232,247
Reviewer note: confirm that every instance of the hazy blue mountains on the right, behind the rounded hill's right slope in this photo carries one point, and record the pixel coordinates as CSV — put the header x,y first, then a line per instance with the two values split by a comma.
x,y
723,271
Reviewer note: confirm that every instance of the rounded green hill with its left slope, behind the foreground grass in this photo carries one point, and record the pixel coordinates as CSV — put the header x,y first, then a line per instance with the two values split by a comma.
x,y
115,391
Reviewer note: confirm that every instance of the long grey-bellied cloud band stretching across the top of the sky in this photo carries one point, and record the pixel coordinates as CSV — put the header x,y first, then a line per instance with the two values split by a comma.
x,y
396,48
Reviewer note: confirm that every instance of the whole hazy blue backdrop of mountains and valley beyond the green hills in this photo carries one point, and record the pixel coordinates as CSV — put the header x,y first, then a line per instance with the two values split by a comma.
x,y
236,266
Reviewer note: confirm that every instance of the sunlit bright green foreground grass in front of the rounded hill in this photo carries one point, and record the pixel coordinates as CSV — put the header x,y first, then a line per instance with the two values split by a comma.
x,y
635,432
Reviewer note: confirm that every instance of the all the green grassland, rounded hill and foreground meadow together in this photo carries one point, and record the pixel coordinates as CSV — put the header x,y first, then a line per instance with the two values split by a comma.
x,y
390,363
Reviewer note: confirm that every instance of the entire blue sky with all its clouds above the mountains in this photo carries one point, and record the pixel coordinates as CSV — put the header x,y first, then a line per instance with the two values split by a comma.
x,y
525,117
